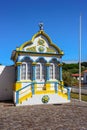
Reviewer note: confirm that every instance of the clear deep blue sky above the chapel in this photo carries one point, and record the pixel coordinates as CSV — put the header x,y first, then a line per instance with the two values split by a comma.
x,y
19,22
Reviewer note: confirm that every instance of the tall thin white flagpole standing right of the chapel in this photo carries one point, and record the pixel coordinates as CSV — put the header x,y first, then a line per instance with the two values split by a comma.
x,y
80,62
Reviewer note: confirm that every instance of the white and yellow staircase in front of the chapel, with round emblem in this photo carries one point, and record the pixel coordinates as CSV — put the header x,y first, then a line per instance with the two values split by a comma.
x,y
26,96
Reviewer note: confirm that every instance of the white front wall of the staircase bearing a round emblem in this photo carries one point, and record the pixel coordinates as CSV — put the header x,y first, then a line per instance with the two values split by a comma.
x,y
38,99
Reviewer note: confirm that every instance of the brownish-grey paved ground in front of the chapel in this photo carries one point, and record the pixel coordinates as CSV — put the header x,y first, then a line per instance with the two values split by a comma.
x,y
72,116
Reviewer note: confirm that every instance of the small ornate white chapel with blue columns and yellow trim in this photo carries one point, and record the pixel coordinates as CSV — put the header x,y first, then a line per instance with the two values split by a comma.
x,y
38,65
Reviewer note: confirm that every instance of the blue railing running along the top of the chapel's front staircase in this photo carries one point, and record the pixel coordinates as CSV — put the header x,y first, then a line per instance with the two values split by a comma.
x,y
33,88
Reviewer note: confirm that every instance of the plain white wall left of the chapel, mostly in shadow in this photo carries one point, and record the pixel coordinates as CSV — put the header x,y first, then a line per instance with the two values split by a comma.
x,y
7,79
